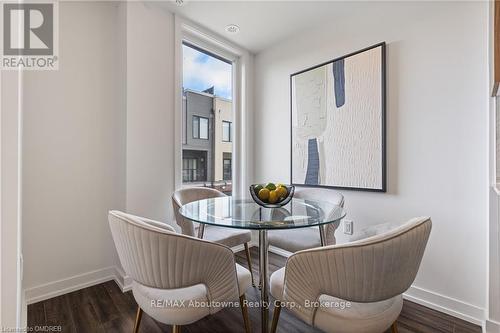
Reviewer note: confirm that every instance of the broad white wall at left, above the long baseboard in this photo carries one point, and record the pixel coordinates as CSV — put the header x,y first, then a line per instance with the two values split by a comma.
x,y
74,149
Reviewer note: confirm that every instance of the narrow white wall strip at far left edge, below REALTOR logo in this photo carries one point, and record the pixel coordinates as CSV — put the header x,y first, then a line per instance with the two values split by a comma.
x,y
10,226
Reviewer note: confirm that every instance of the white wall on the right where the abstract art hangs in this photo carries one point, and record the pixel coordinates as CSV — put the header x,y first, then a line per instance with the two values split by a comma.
x,y
437,118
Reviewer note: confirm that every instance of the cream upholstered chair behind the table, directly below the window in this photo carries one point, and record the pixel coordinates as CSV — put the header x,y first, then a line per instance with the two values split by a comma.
x,y
226,236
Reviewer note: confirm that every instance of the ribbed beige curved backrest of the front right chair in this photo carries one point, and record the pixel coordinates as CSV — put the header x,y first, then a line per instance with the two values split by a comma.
x,y
370,270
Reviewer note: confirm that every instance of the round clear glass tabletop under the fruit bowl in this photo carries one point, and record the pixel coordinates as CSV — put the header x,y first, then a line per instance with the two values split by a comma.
x,y
246,214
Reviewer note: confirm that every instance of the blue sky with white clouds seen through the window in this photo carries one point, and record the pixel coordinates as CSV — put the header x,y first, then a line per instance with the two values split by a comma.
x,y
201,71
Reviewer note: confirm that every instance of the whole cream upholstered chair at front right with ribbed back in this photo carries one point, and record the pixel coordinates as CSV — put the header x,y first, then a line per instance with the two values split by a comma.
x,y
354,287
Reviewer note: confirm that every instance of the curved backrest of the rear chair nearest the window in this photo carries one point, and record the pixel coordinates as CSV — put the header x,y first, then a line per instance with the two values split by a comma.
x,y
187,195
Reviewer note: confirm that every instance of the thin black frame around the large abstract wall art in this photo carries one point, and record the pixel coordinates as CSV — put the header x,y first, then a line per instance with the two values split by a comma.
x,y
383,188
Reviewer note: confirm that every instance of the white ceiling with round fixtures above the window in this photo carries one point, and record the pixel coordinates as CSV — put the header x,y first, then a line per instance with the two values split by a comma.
x,y
262,23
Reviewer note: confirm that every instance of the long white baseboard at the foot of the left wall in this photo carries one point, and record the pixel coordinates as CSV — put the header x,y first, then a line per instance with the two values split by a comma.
x,y
73,283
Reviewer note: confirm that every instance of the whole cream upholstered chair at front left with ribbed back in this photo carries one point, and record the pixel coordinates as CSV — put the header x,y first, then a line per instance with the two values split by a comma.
x,y
177,279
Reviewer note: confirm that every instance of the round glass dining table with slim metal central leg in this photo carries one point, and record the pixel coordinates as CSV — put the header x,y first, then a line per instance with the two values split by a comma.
x,y
230,212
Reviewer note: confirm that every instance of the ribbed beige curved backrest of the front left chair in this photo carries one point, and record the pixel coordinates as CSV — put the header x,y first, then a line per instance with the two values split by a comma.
x,y
154,255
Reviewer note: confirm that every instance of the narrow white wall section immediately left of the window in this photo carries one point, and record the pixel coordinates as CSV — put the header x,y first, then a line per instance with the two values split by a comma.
x,y
150,111
